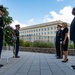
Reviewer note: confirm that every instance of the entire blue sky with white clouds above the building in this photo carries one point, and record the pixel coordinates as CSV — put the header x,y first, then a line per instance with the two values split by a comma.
x,y
31,12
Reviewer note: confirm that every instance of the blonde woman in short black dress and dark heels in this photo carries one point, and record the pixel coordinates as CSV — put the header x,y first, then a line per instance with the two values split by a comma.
x,y
65,41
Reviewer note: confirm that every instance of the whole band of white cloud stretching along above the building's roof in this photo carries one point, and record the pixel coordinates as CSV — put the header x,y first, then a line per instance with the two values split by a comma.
x,y
63,15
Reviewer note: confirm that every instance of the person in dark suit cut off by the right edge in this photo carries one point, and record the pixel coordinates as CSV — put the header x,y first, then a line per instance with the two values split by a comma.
x,y
72,31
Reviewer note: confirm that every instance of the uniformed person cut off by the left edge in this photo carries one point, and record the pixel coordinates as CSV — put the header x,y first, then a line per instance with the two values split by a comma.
x,y
1,30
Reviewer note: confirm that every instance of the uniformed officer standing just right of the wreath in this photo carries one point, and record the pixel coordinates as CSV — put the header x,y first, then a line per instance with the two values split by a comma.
x,y
17,41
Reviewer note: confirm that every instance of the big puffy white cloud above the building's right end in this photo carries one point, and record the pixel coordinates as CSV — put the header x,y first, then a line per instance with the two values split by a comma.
x,y
63,15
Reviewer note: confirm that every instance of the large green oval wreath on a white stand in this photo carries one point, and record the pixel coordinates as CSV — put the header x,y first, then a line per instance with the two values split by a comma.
x,y
9,36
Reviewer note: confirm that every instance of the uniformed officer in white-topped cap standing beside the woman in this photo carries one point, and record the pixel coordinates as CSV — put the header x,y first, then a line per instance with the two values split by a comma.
x,y
59,42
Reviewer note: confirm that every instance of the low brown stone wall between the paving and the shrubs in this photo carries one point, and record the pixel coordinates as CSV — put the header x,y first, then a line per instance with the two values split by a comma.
x,y
42,50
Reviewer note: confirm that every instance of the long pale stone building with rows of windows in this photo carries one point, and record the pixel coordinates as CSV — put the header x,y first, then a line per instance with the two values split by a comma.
x,y
40,32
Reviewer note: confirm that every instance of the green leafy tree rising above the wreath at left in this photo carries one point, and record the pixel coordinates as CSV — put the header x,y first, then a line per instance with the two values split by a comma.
x,y
7,19
